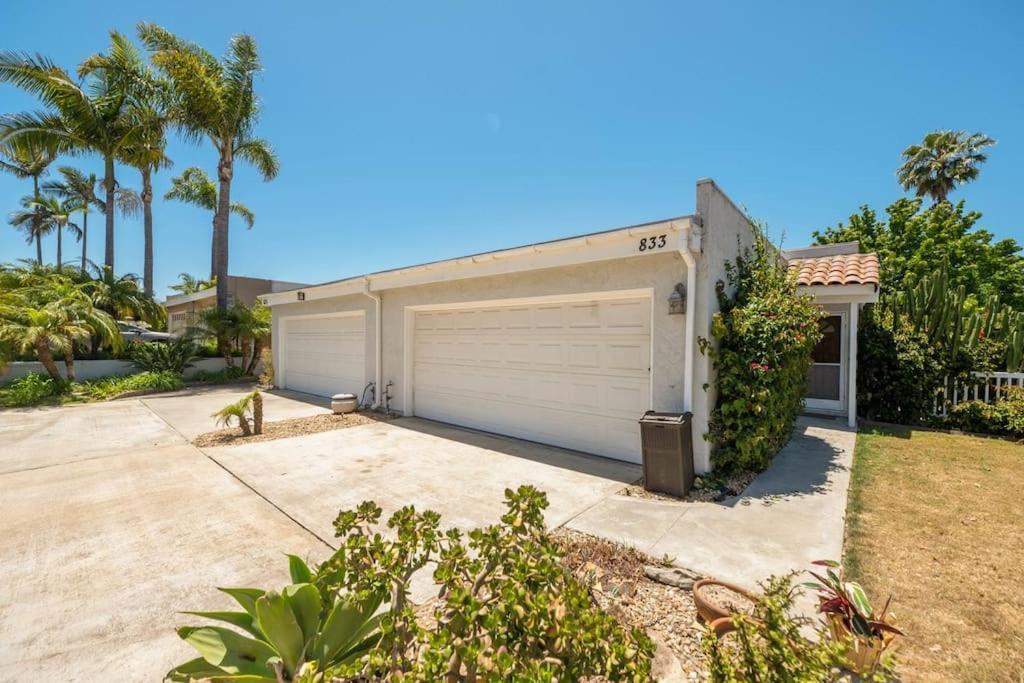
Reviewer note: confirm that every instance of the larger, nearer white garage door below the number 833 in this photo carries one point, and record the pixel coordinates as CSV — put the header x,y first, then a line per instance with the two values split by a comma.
x,y
573,374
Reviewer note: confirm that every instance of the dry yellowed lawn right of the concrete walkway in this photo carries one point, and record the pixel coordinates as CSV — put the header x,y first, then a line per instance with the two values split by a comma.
x,y
937,521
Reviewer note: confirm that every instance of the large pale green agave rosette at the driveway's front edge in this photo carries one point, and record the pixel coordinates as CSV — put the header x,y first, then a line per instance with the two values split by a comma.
x,y
281,637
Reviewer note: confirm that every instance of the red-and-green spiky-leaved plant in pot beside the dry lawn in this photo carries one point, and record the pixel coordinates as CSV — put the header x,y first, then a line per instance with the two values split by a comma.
x,y
852,618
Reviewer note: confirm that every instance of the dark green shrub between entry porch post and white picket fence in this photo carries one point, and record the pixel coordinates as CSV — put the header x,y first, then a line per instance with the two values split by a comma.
x,y
899,373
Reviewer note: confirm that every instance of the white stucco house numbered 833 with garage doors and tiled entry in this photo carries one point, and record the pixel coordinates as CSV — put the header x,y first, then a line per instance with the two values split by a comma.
x,y
566,343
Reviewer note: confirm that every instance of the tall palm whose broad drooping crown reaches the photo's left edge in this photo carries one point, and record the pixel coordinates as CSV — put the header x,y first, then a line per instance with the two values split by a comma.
x,y
82,118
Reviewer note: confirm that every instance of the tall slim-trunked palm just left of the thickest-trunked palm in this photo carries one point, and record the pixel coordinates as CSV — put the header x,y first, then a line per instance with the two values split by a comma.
x,y
124,67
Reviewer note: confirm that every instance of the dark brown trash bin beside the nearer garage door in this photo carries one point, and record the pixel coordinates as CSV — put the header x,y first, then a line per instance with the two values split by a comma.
x,y
668,452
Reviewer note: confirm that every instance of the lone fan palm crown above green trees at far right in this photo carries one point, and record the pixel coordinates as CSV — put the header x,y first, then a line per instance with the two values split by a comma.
x,y
944,160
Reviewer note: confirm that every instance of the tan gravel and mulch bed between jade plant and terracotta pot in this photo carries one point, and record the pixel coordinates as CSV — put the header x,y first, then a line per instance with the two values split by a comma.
x,y
616,577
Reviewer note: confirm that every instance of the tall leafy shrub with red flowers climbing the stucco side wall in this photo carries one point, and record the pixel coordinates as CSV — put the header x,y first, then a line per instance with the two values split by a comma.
x,y
765,334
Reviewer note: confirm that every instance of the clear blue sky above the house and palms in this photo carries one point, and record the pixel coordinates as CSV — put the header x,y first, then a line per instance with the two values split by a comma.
x,y
422,131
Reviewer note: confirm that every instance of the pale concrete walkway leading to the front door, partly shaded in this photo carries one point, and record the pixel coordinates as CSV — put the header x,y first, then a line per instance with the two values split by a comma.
x,y
791,516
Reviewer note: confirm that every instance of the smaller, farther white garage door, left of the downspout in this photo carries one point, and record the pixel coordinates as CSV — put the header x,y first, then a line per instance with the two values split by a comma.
x,y
325,356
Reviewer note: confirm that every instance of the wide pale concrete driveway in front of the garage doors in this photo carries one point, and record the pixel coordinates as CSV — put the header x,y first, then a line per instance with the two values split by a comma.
x,y
113,522
